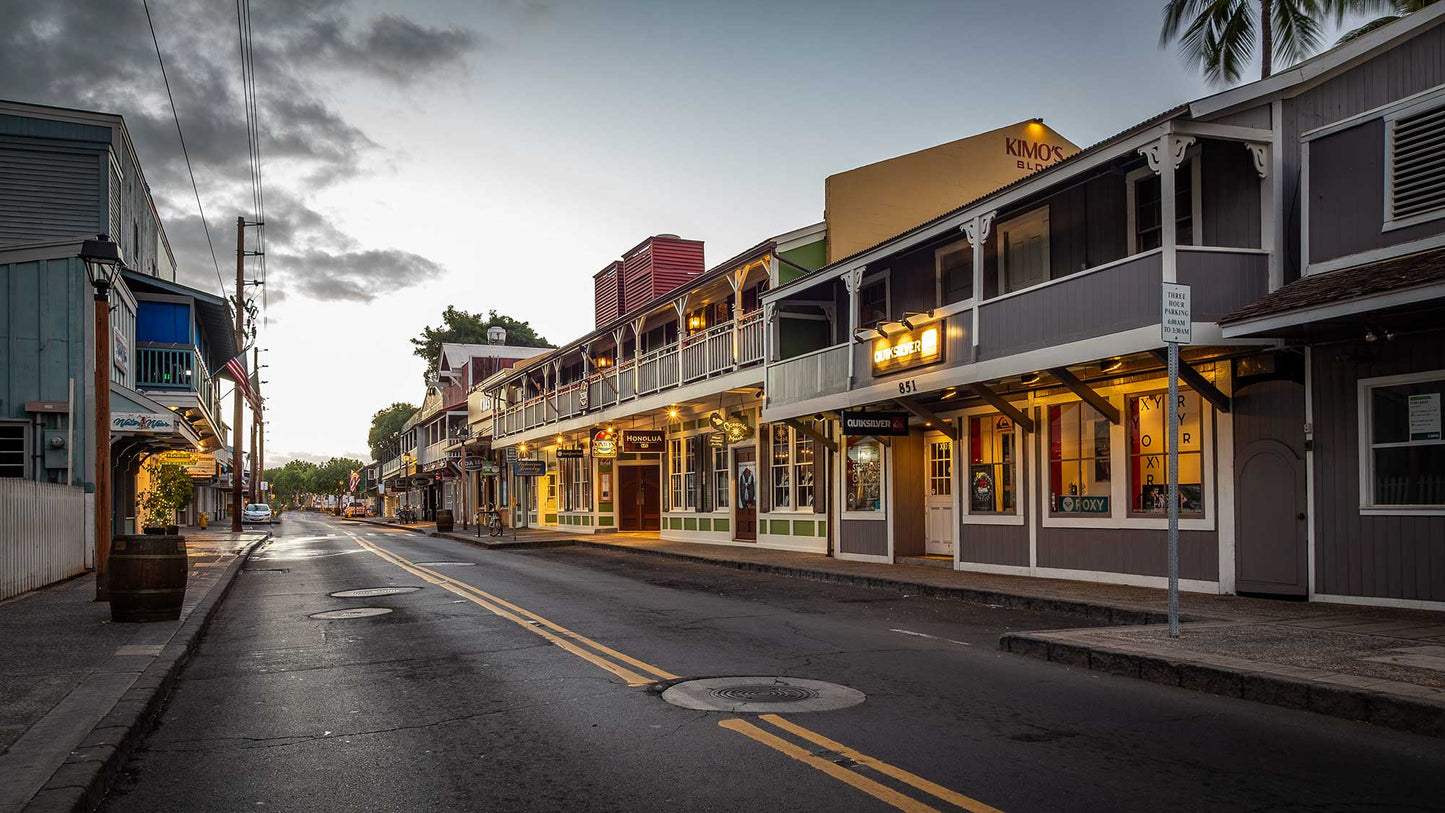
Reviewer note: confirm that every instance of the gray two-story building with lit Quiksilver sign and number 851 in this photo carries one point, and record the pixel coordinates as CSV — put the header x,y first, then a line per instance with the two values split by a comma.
x,y
999,370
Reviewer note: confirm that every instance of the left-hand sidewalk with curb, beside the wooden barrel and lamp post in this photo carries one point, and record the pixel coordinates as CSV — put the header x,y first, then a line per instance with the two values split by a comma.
x,y
77,691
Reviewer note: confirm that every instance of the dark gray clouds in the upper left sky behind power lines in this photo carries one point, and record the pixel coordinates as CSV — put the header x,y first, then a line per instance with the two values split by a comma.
x,y
99,56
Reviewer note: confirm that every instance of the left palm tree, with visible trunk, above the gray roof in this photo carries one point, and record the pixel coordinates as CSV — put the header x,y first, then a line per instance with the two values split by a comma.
x,y
1220,35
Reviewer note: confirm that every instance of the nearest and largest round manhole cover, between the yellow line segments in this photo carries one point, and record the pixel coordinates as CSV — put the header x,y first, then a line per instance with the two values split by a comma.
x,y
759,695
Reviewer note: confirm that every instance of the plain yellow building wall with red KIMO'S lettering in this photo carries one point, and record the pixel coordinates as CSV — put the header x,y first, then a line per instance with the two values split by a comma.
x,y
874,203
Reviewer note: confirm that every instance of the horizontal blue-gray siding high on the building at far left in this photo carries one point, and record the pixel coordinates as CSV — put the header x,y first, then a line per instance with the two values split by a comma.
x,y
50,194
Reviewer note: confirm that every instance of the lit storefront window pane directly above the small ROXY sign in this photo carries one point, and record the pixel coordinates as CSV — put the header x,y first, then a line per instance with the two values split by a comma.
x,y
1080,469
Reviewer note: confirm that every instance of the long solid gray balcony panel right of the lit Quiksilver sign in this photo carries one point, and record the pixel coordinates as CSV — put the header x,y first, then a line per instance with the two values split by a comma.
x,y
1090,305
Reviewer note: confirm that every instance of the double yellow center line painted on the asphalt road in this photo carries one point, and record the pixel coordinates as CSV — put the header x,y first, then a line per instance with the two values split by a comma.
x,y
641,674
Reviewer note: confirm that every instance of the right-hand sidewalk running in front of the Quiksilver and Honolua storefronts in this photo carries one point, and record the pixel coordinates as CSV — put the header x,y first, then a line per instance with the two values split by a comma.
x,y
1376,665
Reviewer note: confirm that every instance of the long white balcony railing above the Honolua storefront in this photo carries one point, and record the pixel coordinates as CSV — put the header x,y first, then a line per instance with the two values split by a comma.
x,y
717,352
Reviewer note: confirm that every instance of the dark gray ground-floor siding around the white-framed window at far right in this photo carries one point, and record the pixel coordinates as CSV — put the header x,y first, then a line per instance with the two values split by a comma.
x,y
1401,558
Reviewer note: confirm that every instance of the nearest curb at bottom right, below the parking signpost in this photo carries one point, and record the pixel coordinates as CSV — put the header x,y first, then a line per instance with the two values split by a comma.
x,y
1291,688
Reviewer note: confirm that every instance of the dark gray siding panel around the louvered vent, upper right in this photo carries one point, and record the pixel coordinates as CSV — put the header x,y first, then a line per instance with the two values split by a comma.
x,y
1347,196
